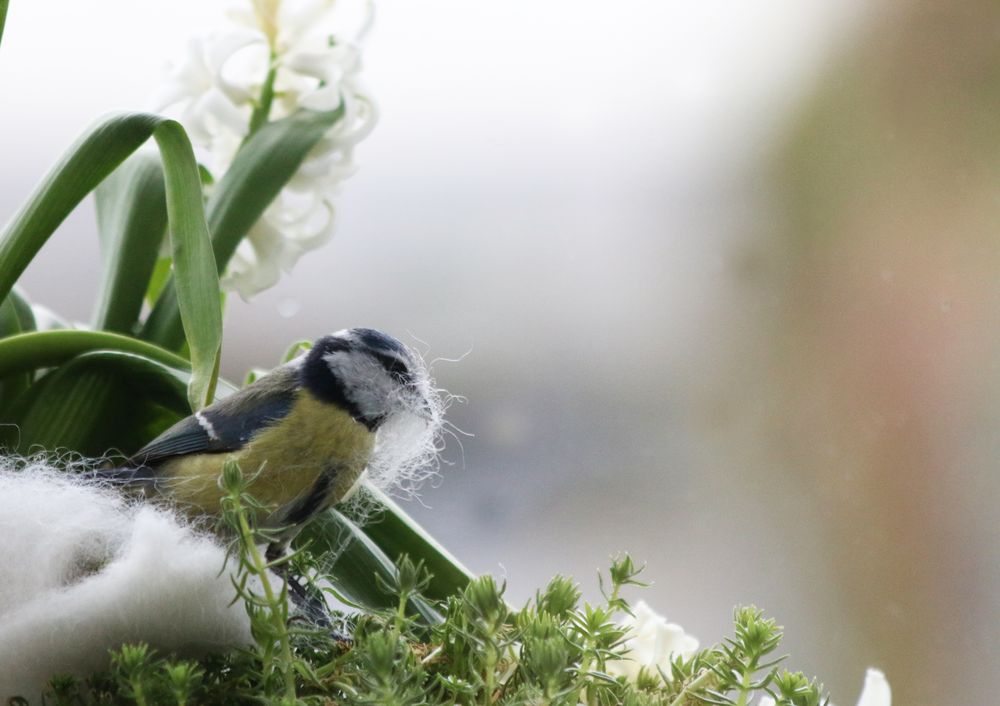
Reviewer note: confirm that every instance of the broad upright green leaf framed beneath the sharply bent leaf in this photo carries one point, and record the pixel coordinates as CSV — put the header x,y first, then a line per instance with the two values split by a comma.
x,y
131,222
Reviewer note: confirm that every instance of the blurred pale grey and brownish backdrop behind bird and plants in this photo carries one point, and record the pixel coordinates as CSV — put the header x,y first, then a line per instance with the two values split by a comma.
x,y
718,280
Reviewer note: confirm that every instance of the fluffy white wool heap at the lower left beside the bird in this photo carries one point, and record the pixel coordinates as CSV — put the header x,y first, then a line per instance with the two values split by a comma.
x,y
83,571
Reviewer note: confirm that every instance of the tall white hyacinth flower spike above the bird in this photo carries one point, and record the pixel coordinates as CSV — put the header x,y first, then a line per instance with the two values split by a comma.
x,y
316,64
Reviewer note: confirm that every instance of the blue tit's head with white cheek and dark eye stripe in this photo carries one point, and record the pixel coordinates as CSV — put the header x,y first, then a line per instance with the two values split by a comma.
x,y
367,373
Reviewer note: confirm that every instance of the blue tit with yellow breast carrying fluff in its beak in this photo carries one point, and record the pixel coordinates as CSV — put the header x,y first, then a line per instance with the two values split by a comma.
x,y
302,434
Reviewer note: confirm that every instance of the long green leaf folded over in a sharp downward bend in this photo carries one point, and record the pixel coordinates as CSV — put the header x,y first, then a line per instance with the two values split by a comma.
x,y
89,161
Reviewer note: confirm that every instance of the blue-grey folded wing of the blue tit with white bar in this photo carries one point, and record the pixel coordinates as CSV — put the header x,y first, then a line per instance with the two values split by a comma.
x,y
228,424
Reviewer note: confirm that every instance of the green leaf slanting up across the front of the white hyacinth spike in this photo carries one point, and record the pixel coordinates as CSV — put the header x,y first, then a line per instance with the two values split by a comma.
x,y
261,169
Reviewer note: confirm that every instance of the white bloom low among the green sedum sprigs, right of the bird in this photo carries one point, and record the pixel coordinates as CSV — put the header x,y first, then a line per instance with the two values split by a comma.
x,y
652,643
